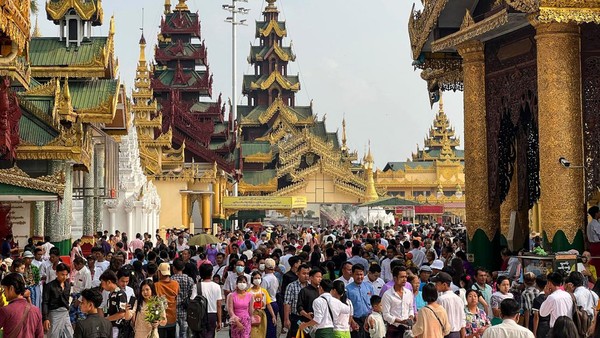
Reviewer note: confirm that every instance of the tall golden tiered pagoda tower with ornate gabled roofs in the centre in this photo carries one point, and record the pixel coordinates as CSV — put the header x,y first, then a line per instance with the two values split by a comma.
x,y
284,149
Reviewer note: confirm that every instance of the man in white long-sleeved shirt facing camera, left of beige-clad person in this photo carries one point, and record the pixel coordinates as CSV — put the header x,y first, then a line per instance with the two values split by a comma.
x,y
397,304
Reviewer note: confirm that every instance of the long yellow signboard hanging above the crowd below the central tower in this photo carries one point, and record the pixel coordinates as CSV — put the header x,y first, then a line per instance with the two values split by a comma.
x,y
264,203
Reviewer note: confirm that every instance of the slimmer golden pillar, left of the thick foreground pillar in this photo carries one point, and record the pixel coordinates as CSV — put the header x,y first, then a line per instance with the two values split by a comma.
x,y
482,223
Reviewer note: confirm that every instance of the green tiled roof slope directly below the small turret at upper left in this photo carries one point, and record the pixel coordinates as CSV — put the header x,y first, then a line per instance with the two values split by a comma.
x,y
49,51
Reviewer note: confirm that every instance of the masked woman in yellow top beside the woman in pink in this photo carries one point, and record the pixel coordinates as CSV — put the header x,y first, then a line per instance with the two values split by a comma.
x,y
261,301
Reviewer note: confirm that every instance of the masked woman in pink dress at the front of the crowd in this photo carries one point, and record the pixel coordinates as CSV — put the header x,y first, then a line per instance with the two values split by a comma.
x,y
239,306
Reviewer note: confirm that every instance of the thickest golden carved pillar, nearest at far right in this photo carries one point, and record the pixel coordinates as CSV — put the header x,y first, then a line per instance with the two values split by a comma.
x,y
560,134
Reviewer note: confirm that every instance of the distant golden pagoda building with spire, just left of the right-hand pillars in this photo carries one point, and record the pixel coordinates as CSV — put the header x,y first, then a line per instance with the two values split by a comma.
x,y
433,176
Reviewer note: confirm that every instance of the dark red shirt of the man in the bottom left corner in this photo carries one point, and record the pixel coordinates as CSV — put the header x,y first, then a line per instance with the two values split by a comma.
x,y
10,317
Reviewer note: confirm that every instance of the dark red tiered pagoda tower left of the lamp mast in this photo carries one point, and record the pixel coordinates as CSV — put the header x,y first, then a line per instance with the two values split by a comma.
x,y
182,84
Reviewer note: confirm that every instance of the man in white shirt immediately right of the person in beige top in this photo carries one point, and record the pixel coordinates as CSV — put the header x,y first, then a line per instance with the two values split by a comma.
x,y
454,306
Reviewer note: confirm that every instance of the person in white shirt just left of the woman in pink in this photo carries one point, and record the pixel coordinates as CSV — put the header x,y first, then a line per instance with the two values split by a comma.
x,y
214,296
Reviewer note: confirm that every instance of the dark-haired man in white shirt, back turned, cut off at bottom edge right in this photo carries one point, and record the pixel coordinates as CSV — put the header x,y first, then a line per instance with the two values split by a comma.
x,y
509,328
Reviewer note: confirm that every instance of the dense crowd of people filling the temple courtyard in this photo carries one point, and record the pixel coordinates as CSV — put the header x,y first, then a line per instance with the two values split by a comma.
x,y
338,282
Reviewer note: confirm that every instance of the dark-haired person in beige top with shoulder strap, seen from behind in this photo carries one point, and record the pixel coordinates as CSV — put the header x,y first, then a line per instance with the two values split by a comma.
x,y
432,320
